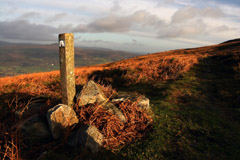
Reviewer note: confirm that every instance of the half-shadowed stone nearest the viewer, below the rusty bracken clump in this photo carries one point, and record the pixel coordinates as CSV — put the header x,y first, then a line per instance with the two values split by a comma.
x,y
87,136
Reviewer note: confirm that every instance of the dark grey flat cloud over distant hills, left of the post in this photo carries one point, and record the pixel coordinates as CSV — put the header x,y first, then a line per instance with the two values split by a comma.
x,y
23,30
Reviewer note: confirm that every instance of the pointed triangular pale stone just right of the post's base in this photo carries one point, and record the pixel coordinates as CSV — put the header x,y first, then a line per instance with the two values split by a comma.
x,y
91,93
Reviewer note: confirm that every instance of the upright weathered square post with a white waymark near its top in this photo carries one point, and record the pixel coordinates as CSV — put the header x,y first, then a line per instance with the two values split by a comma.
x,y
66,58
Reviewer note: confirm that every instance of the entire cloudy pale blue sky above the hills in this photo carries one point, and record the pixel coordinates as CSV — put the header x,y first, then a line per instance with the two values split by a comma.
x,y
143,26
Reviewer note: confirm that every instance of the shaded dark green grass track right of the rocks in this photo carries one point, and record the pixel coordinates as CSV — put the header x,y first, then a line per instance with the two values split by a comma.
x,y
196,116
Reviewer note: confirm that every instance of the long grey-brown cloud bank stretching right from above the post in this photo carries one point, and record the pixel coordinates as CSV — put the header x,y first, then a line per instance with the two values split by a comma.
x,y
185,22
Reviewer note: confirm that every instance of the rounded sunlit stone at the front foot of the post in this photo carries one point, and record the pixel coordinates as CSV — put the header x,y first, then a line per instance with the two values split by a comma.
x,y
60,118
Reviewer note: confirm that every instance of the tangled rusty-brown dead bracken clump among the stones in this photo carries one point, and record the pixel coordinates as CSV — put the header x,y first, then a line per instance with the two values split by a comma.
x,y
117,133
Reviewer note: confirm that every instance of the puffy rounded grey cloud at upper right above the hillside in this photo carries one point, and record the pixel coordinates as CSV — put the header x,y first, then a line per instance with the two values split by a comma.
x,y
188,21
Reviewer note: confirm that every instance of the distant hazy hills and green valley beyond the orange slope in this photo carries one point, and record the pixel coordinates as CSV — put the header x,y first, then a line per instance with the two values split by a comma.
x,y
20,58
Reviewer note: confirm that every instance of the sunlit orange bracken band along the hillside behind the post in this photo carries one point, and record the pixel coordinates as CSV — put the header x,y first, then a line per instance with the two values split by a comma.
x,y
155,67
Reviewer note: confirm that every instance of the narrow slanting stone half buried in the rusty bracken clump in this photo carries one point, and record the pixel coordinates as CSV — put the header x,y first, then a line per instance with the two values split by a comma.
x,y
110,107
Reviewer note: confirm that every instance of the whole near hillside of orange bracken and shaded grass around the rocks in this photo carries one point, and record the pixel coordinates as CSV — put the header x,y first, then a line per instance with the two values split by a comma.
x,y
194,94
